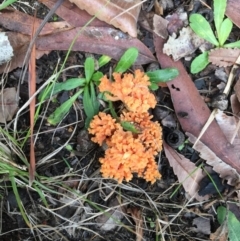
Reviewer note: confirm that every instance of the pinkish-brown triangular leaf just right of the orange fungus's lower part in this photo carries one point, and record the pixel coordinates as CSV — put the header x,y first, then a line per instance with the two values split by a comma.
x,y
188,174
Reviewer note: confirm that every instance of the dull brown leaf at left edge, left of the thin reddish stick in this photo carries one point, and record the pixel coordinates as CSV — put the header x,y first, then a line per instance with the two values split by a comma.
x,y
9,104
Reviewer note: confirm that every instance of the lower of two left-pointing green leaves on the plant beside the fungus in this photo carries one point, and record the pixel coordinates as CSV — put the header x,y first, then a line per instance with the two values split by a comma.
x,y
63,109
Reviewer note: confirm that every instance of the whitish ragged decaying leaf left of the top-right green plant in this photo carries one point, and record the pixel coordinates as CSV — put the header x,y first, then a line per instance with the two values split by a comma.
x,y
186,44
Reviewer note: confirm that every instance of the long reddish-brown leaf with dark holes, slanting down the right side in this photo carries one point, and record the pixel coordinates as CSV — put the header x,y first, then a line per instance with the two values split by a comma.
x,y
193,113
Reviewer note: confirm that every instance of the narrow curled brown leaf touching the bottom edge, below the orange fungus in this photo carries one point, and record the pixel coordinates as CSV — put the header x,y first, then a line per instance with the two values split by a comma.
x,y
137,217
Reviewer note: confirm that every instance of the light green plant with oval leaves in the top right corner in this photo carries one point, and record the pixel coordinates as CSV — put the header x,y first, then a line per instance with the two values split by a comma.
x,y
203,29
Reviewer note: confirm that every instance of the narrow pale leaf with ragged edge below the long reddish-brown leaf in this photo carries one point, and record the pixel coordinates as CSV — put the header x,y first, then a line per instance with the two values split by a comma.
x,y
223,169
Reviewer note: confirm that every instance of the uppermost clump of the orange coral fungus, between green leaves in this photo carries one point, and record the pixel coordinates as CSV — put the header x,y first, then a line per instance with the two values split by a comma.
x,y
131,89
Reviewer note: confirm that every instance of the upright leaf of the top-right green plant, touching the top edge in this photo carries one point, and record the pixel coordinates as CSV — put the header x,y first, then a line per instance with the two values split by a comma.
x,y
219,7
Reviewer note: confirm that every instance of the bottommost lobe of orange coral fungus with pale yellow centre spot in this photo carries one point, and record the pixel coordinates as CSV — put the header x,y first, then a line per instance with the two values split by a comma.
x,y
127,155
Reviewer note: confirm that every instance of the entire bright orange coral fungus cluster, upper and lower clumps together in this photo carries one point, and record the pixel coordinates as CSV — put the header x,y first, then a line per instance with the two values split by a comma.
x,y
128,152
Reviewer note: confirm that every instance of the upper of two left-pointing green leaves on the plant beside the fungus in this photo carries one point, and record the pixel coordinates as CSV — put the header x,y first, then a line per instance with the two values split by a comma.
x,y
70,84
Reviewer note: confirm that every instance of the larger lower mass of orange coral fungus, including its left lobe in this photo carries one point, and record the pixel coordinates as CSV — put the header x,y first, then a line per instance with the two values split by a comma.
x,y
128,152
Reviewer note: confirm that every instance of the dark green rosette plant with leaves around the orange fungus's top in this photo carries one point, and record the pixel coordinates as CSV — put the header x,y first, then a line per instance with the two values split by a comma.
x,y
92,78
